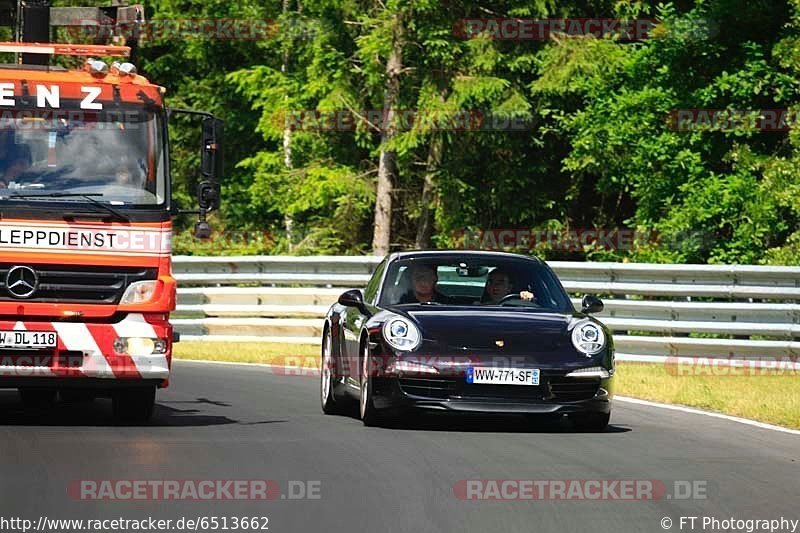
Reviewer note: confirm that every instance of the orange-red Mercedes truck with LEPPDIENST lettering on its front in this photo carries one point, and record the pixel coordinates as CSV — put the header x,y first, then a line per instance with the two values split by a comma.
x,y
86,283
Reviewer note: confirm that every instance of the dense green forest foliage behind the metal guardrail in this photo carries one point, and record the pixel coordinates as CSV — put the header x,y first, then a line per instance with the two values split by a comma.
x,y
596,147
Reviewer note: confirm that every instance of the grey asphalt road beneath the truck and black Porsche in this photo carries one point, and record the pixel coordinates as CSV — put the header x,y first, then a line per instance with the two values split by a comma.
x,y
242,422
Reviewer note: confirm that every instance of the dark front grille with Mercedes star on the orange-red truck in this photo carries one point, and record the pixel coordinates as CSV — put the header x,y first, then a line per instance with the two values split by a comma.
x,y
78,284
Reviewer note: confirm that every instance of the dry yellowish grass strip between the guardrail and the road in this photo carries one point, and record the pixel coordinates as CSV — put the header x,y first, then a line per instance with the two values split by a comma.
x,y
774,399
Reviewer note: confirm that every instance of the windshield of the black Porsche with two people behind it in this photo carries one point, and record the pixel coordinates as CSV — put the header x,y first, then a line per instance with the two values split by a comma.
x,y
484,282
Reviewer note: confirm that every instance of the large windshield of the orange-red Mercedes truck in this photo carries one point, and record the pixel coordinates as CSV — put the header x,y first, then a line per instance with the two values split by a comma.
x,y
115,156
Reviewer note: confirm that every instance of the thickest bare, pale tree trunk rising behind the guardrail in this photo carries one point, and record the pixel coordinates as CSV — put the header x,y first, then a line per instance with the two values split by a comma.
x,y
387,168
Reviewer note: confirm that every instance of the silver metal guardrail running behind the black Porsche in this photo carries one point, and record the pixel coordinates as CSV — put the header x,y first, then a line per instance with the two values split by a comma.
x,y
651,308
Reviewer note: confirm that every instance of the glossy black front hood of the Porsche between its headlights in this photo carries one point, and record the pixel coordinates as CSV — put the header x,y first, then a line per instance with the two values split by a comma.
x,y
493,335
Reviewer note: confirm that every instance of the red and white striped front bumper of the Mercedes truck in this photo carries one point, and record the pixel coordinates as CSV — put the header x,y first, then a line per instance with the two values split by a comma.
x,y
86,350
